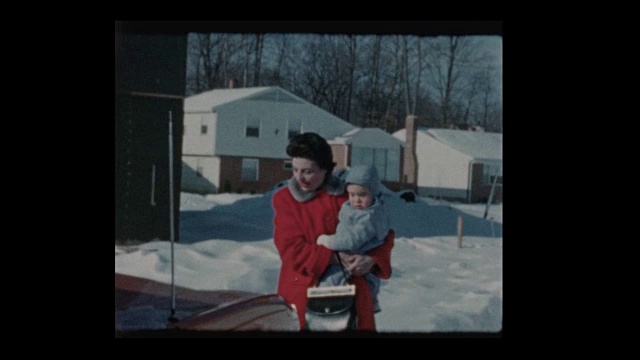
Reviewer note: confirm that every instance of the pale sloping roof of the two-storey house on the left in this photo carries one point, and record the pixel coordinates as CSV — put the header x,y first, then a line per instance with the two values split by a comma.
x,y
209,100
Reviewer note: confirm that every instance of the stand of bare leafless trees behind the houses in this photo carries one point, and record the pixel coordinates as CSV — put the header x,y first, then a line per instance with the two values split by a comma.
x,y
367,80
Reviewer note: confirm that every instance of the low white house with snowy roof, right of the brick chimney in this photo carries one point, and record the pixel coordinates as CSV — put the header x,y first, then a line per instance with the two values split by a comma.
x,y
457,164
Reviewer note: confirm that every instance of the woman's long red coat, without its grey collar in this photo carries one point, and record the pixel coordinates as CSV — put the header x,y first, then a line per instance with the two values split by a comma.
x,y
297,226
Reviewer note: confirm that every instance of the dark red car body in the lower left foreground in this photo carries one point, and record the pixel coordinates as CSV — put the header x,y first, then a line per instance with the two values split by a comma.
x,y
145,307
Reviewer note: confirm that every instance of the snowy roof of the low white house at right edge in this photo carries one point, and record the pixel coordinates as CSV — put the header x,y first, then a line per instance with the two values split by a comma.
x,y
478,145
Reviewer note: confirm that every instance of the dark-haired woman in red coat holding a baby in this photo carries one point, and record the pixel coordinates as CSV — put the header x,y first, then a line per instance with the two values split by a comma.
x,y
307,208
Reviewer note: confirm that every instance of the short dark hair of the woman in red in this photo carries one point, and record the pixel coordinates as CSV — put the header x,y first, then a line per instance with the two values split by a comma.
x,y
313,147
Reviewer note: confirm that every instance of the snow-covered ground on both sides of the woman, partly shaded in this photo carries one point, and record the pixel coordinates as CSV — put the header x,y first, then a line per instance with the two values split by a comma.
x,y
226,243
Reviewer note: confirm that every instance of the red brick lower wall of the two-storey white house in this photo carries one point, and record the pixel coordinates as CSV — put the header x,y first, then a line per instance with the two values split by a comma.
x,y
270,173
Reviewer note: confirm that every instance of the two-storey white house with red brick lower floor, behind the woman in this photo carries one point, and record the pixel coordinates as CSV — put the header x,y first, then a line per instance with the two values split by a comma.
x,y
235,139
